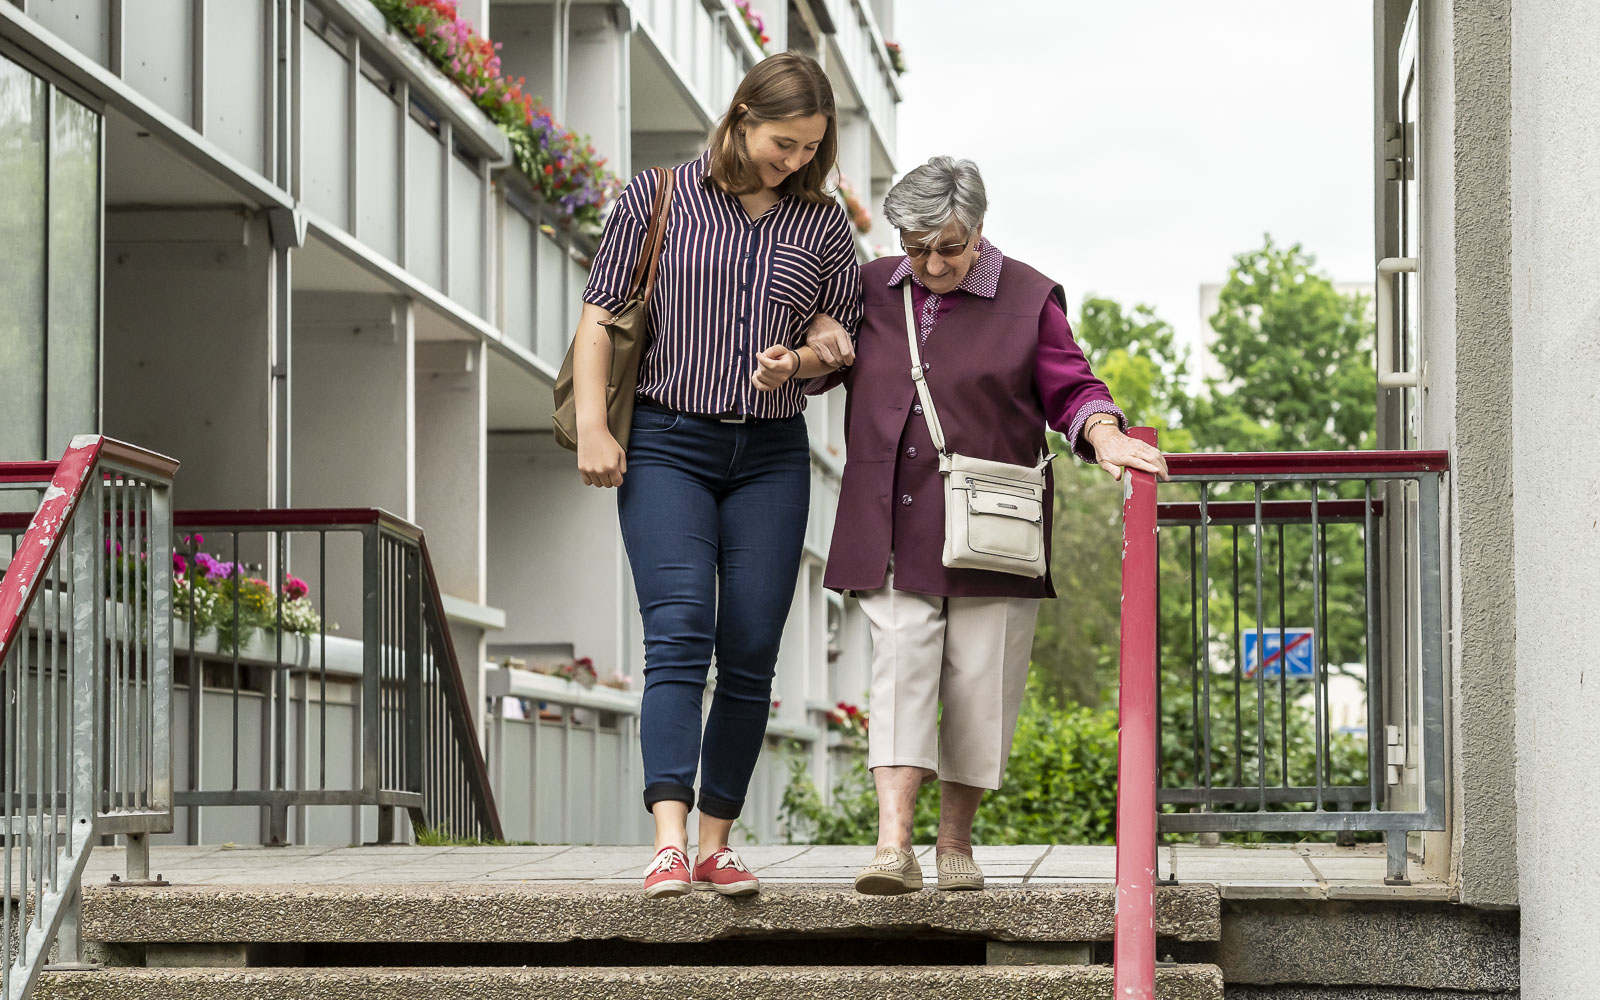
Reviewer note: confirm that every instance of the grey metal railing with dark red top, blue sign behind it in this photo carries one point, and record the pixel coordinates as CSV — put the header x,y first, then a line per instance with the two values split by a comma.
x,y
1302,636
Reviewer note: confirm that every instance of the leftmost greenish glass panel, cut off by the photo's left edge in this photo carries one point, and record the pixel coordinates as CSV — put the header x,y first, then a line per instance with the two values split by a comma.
x,y
23,122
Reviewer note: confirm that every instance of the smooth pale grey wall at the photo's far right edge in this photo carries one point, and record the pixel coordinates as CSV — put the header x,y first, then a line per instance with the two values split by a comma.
x,y
1556,367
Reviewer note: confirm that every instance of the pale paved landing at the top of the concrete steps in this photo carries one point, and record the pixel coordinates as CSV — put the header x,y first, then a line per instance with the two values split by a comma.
x,y
1297,873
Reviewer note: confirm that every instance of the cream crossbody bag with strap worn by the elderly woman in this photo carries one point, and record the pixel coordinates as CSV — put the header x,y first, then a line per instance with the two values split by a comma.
x,y
994,513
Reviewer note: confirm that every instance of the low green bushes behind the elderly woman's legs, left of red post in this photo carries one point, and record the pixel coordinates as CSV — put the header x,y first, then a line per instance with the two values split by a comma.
x,y
1060,788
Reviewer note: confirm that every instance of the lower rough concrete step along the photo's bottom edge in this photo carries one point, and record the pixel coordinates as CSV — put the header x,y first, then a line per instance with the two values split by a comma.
x,y
674,983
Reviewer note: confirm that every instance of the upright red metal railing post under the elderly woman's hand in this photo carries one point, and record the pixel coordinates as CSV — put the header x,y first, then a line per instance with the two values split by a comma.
x,y
1134,962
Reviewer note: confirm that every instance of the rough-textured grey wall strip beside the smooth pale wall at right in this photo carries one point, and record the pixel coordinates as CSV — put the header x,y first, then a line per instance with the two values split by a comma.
x,y
1484,586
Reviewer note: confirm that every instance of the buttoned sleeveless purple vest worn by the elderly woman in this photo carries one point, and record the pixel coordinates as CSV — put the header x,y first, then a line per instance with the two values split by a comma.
x,y
980,369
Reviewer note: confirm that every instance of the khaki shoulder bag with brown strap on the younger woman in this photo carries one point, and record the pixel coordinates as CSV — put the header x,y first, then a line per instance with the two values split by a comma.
x,y
630,332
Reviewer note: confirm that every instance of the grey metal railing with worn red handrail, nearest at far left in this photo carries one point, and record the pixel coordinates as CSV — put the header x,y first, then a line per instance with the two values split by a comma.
x,y
86,681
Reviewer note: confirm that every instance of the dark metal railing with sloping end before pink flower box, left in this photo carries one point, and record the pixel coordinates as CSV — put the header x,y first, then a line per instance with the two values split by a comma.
x,y
417,746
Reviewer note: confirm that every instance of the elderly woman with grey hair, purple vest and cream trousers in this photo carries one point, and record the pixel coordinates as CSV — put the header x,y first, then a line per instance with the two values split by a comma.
x,y
1001,364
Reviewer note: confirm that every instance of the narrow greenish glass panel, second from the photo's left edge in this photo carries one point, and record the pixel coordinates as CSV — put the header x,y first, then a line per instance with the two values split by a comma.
x,y
74,276
